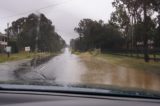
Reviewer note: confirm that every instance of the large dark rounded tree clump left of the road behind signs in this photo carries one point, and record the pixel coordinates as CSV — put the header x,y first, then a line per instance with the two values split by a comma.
x,y
36,32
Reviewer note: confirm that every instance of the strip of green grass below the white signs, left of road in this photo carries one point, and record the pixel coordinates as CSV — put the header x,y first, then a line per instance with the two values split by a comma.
x,y
20,56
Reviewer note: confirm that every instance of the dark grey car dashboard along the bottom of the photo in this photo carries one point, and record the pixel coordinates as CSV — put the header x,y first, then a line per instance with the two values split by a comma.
x,y
26,98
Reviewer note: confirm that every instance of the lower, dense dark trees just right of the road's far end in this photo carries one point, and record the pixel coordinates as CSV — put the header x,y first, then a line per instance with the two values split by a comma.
x,y
93,34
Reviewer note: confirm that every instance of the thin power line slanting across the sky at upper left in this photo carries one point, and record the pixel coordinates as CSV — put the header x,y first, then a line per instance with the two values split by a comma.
x,y
42,8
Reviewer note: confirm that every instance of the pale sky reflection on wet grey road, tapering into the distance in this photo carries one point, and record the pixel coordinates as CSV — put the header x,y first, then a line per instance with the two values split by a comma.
x,y
65,68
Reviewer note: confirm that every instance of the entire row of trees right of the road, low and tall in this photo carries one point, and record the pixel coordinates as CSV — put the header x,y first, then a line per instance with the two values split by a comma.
x,y
132,23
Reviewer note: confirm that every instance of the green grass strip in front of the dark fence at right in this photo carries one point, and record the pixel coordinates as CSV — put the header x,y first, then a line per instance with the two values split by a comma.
x,y
135,63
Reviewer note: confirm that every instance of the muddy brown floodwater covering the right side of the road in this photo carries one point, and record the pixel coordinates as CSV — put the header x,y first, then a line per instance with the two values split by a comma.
x,y
101,71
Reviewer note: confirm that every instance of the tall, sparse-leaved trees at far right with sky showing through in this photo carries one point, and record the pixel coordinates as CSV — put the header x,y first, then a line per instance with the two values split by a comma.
x,y
137,22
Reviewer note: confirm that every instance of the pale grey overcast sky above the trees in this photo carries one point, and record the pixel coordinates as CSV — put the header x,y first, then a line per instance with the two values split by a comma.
x,y
65,14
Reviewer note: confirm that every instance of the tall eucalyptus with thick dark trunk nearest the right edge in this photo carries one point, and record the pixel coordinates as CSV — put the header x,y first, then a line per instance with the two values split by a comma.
x,y
138,11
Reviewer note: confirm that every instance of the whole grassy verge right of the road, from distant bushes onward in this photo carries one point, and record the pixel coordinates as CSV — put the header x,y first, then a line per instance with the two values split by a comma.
x,y
128,62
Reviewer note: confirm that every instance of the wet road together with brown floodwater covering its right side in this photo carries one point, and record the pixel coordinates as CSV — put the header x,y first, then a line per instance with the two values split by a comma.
x,y
68,68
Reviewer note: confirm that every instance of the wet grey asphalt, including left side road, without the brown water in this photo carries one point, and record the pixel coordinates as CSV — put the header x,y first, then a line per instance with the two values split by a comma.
x,y
65,68
